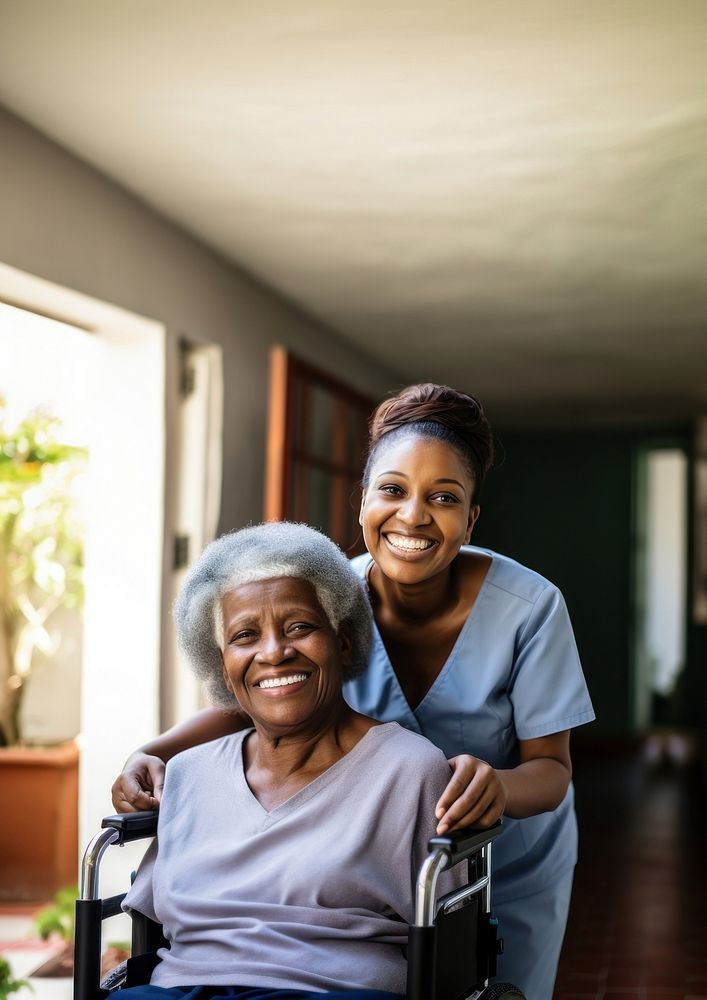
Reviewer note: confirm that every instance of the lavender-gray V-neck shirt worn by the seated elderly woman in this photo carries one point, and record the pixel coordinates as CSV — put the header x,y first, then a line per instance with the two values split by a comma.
x,y
315,894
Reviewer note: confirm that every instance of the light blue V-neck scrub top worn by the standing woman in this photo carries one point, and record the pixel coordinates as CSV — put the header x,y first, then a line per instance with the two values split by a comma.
x,y
514,673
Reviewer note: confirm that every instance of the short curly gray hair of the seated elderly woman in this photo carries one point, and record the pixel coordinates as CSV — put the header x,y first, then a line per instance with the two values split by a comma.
x,y
264,552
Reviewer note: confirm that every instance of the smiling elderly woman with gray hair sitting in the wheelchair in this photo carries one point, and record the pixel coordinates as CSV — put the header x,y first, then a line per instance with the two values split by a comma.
x,y
286,856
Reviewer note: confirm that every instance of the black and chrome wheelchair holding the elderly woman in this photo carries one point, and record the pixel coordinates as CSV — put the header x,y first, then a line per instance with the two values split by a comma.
x,y
452,945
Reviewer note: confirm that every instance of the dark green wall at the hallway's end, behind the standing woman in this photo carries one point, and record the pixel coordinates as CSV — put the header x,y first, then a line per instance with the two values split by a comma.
x,y
563,504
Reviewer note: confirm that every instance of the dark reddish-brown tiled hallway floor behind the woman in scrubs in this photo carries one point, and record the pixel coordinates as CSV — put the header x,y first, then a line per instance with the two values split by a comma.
x,y
638,923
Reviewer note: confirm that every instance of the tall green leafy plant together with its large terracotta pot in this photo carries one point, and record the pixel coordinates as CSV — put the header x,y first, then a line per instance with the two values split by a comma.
x,y
41,572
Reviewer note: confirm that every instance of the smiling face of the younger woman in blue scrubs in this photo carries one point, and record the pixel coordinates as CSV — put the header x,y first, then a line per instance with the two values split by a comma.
x,y
417,508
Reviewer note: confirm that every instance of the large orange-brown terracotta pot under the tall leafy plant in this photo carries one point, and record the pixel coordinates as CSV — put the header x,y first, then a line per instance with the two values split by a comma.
x,y
39,830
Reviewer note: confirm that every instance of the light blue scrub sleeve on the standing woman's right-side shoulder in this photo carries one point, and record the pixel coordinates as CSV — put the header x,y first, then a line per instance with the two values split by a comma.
x,y
547,687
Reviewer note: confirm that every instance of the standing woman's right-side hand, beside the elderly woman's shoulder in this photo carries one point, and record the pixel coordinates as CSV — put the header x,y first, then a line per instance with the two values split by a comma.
x,y
475,796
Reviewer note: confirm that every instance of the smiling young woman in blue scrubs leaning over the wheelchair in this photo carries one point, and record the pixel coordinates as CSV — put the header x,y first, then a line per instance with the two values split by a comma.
x,y
471,650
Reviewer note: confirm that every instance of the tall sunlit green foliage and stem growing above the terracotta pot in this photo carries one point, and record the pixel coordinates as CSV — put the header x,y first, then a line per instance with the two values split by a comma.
x,y
41,549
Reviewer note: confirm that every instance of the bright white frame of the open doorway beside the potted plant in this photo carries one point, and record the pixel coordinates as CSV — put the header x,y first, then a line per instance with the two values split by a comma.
x,y
122,391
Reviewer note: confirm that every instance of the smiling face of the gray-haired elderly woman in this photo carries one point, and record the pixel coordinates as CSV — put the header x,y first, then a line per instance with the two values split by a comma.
x,y
282,659
